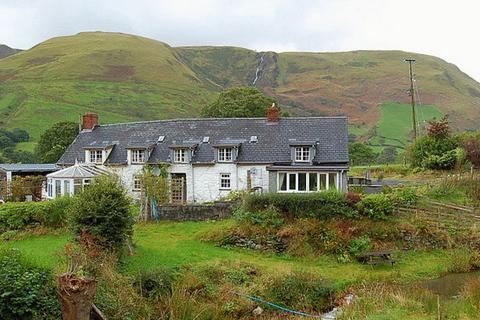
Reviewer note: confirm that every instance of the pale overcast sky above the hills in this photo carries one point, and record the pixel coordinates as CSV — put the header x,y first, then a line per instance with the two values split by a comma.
x,y
447,29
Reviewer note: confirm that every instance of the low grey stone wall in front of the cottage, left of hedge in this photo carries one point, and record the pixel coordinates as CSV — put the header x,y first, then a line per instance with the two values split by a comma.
x,y
195,212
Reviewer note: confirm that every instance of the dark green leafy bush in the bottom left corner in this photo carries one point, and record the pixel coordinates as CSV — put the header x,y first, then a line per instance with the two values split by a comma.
x,y
26,292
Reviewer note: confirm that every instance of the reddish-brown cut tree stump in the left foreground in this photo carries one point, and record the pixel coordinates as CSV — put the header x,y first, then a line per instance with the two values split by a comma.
x,y
76,296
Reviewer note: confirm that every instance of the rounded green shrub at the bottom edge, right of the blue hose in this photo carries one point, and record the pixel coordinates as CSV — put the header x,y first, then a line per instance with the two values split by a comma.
x,y
302,292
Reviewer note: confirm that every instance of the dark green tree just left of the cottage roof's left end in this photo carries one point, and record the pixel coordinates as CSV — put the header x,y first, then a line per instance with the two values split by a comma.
x,y
55,141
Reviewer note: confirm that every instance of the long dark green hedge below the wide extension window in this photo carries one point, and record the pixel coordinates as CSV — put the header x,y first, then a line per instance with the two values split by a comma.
x,y
315,205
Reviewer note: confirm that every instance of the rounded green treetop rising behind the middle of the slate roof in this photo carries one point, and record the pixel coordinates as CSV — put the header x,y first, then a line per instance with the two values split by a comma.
x,y
241,102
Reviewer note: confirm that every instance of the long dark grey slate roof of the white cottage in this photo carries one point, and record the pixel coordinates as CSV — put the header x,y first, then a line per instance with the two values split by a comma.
x,y
274,140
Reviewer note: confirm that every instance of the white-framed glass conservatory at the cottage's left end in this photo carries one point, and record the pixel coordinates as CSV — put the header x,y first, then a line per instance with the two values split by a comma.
x,y
72,180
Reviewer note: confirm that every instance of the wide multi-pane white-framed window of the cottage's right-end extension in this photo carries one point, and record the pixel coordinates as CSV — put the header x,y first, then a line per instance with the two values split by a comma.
x,y
306,181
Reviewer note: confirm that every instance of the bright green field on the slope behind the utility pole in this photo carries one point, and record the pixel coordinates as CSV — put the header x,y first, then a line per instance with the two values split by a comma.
x,y
395,124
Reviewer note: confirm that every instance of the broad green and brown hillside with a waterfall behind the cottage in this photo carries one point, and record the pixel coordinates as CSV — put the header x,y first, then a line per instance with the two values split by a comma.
x,y
126,77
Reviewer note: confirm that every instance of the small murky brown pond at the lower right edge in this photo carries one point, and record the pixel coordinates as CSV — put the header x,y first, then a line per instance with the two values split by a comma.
x,y
450,285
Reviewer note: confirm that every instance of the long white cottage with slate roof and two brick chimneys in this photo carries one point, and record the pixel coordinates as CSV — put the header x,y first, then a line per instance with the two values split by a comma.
x,y
216,156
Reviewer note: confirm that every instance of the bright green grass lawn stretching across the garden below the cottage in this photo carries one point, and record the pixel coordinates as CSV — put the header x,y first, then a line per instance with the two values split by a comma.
x,y
174,244
